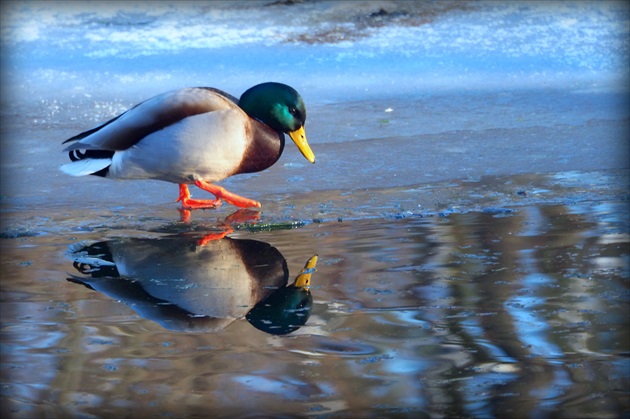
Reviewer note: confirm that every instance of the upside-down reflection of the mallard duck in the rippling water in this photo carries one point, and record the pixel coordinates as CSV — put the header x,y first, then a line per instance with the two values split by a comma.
x,y
190,283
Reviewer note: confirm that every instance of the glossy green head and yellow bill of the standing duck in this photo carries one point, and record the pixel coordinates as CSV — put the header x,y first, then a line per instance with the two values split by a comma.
x,y
282,108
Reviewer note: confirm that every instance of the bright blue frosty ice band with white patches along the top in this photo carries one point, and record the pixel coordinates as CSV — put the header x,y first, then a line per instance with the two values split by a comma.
x,y
340,44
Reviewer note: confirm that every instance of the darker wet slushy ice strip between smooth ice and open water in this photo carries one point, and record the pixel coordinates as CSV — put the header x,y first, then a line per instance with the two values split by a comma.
x,y
492,194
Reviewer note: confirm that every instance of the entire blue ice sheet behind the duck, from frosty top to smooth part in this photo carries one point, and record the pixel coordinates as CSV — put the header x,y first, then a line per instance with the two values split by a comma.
x,y
408,93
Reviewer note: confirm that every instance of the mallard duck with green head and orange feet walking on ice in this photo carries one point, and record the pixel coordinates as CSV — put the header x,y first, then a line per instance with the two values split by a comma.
x,y
196,136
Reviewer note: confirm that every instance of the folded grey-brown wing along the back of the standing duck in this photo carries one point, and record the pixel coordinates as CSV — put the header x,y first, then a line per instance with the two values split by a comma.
x,y
150,116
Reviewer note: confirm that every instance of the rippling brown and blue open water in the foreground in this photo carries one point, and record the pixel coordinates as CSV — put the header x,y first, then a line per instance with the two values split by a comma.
x,y
513,311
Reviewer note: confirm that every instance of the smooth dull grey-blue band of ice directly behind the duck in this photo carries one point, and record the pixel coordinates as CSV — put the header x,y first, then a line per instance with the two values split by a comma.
x,y
415,144
